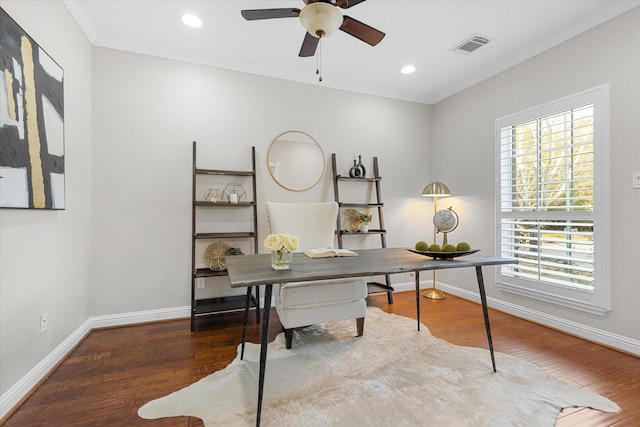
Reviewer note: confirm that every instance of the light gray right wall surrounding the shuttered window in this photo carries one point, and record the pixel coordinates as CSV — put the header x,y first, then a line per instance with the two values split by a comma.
x,y
463,138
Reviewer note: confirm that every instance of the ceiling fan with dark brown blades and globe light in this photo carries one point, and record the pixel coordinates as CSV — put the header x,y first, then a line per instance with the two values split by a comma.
x,y
321,18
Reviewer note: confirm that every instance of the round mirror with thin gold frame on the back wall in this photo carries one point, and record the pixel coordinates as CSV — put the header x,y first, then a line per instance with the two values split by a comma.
x,y
295,161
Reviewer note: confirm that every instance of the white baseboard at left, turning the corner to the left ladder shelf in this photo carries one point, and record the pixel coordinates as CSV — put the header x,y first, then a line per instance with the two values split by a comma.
x,y
18,391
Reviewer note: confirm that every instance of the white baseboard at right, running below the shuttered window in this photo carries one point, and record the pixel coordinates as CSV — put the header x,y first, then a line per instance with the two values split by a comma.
x,y
608,339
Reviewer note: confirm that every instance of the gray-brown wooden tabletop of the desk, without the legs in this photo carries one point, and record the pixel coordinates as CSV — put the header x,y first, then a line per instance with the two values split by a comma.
x,y
254,270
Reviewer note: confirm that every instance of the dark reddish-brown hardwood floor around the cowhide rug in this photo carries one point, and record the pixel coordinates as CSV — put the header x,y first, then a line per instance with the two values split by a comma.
x,y
114,371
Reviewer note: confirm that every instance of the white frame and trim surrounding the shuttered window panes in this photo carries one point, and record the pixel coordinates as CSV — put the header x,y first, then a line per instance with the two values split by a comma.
x,y
598,301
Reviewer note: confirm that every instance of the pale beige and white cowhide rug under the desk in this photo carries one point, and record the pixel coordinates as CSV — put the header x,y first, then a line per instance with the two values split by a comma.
x,y
391,376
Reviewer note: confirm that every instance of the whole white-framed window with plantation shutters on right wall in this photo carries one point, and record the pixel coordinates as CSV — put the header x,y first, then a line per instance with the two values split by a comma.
x,y
552,168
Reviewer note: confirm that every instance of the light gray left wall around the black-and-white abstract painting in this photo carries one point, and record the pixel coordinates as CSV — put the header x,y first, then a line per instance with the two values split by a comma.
x,y
45,256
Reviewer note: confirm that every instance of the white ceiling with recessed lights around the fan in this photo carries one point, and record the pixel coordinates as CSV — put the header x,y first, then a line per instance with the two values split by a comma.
x,y
417,32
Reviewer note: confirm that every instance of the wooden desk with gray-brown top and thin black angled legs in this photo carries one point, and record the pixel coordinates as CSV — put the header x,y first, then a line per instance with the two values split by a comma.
x,y
255,270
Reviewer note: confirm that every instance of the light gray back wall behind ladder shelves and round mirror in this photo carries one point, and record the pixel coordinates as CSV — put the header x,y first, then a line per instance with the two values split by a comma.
x,y
147,111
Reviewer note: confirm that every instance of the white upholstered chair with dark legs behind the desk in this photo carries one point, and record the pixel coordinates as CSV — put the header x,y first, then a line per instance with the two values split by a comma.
x,y
308,303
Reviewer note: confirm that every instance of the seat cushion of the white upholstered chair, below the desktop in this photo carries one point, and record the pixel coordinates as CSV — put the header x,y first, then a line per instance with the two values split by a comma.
x,y
321,293
